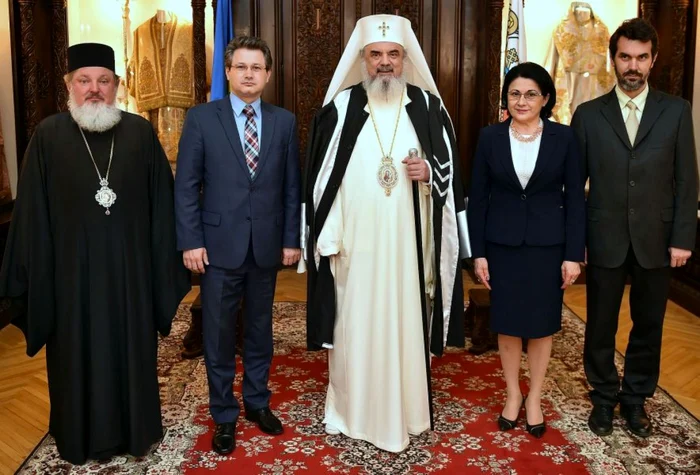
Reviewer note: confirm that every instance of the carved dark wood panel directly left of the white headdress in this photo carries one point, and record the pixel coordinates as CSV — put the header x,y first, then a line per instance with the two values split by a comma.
x,y
317,54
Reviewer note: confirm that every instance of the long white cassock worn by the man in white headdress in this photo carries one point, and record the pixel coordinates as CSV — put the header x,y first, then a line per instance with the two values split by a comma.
x,y
378,384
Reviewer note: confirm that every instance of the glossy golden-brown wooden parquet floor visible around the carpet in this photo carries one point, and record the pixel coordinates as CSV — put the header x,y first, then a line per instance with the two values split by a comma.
x,y
24,400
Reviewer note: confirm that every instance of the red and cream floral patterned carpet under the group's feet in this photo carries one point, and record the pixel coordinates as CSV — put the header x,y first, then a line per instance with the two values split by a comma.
x,y
468,396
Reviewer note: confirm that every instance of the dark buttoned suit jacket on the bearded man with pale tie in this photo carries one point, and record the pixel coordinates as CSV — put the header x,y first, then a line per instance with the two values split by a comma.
x,y
645,194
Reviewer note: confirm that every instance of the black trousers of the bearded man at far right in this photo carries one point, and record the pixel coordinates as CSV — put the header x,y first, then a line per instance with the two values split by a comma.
x,y
648,296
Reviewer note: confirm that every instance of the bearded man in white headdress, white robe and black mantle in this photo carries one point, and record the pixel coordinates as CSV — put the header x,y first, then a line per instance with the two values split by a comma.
x,y
384,231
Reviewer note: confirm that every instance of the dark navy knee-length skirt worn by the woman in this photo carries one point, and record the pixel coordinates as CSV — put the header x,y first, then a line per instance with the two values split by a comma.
x,y
526,294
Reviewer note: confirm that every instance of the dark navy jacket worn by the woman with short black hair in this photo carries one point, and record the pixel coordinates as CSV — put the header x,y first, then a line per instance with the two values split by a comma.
x,y
551,208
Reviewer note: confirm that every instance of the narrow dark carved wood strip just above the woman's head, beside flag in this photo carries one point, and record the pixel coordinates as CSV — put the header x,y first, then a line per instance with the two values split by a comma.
x,y
493,59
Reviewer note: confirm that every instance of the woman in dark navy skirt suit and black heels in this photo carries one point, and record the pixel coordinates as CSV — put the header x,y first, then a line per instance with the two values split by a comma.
x,y
526,215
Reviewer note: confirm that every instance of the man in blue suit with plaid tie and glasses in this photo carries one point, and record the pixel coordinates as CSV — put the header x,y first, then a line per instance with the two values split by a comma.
x,y
243,154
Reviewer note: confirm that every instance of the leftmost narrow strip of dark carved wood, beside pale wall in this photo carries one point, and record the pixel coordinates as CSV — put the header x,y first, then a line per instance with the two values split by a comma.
x,y
30,70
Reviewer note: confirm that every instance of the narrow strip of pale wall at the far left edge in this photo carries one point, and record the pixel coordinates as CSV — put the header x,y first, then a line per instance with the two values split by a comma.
x,y
7,103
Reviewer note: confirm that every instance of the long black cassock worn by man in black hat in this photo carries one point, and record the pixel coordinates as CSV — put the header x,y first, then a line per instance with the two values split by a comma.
x,y
94,288
